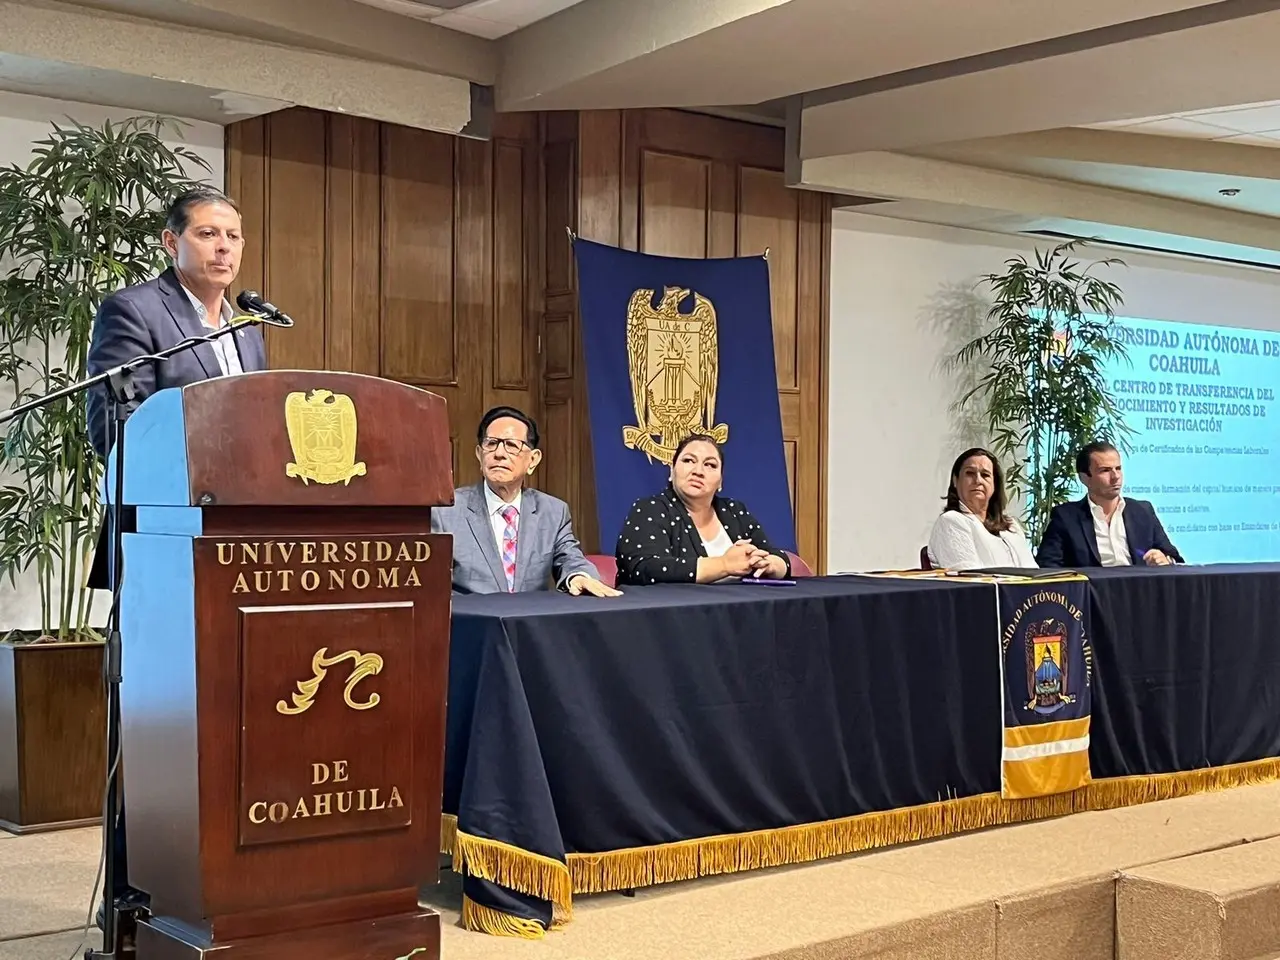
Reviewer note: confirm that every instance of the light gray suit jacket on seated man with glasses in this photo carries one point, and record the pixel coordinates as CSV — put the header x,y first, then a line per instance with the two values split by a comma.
x,y
546,548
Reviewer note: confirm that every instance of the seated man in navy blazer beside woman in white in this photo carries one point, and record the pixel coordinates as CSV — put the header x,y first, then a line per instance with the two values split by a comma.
x,y
1105,529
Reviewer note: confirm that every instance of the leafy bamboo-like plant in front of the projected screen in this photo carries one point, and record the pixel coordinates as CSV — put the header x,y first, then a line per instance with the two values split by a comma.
x,y
1044,394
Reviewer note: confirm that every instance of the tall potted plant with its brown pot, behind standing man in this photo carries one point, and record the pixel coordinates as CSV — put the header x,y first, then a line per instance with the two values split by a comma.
x,y
77,223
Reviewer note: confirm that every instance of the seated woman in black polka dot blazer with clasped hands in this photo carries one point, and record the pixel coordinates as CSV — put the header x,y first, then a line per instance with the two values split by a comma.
x,y
689,534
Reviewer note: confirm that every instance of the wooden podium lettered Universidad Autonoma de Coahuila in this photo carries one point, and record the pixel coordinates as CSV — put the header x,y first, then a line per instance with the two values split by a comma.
x,y
286,623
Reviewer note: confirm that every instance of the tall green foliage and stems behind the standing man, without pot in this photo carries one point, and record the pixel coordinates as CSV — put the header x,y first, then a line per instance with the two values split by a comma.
x,y
77,223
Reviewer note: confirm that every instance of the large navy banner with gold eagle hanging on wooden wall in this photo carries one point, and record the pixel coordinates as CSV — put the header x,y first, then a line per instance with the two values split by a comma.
x,y
678,346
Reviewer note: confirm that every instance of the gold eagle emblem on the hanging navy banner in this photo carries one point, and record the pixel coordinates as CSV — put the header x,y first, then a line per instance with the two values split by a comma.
x,y
674,362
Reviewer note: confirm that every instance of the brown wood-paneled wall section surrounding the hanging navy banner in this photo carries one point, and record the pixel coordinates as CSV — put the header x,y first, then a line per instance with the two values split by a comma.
x,y
687,185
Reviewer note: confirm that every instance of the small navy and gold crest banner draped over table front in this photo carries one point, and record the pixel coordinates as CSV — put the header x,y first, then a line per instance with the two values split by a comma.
x,y
1046,671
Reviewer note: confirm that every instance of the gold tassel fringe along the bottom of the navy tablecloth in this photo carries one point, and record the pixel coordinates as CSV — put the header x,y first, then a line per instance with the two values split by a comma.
x,y
642,867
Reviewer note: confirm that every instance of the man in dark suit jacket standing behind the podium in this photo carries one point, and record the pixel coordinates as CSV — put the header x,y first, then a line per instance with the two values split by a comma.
x,y
204,240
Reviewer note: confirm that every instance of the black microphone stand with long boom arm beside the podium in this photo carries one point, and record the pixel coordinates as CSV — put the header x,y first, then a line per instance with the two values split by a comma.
x,y
121,395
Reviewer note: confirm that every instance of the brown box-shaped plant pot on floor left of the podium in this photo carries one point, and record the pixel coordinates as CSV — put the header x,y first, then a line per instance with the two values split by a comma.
x,y
53,737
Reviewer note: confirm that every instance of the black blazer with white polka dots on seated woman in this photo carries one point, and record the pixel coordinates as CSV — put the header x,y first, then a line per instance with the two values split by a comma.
x,y
660,543
